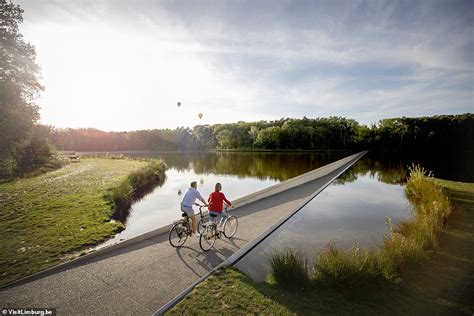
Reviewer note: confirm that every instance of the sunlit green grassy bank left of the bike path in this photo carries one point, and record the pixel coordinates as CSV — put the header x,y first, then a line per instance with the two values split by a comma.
x,y
44,218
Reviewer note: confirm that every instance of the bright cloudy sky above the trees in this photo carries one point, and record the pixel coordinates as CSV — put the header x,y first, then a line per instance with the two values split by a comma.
x,y
124,65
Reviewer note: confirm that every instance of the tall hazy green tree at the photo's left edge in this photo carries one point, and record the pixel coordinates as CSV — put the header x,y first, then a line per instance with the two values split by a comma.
x,y
19,87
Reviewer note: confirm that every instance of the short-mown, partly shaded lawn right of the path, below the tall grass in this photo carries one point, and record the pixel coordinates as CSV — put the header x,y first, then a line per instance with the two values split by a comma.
x,y
442,285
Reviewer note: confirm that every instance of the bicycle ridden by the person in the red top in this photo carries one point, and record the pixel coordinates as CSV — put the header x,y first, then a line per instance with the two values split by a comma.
x,y
211,230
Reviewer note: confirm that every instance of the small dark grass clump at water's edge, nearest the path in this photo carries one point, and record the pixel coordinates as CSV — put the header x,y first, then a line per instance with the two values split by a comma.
x,y
290,270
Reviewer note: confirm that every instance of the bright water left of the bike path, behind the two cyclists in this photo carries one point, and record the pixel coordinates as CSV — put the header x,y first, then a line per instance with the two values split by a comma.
x,y
239,173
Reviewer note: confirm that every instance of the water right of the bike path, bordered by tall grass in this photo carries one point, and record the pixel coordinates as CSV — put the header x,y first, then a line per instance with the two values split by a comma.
x,y
351,210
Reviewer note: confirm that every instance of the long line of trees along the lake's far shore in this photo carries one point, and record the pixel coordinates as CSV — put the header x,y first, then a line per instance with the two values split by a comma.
x,y
442,132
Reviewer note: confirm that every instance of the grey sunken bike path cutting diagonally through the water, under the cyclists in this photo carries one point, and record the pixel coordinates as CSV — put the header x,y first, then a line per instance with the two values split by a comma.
x,y
140,278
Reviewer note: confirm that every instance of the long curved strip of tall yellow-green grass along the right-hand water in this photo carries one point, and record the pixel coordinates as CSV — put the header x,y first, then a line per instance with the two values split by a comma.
x,y
412,241
